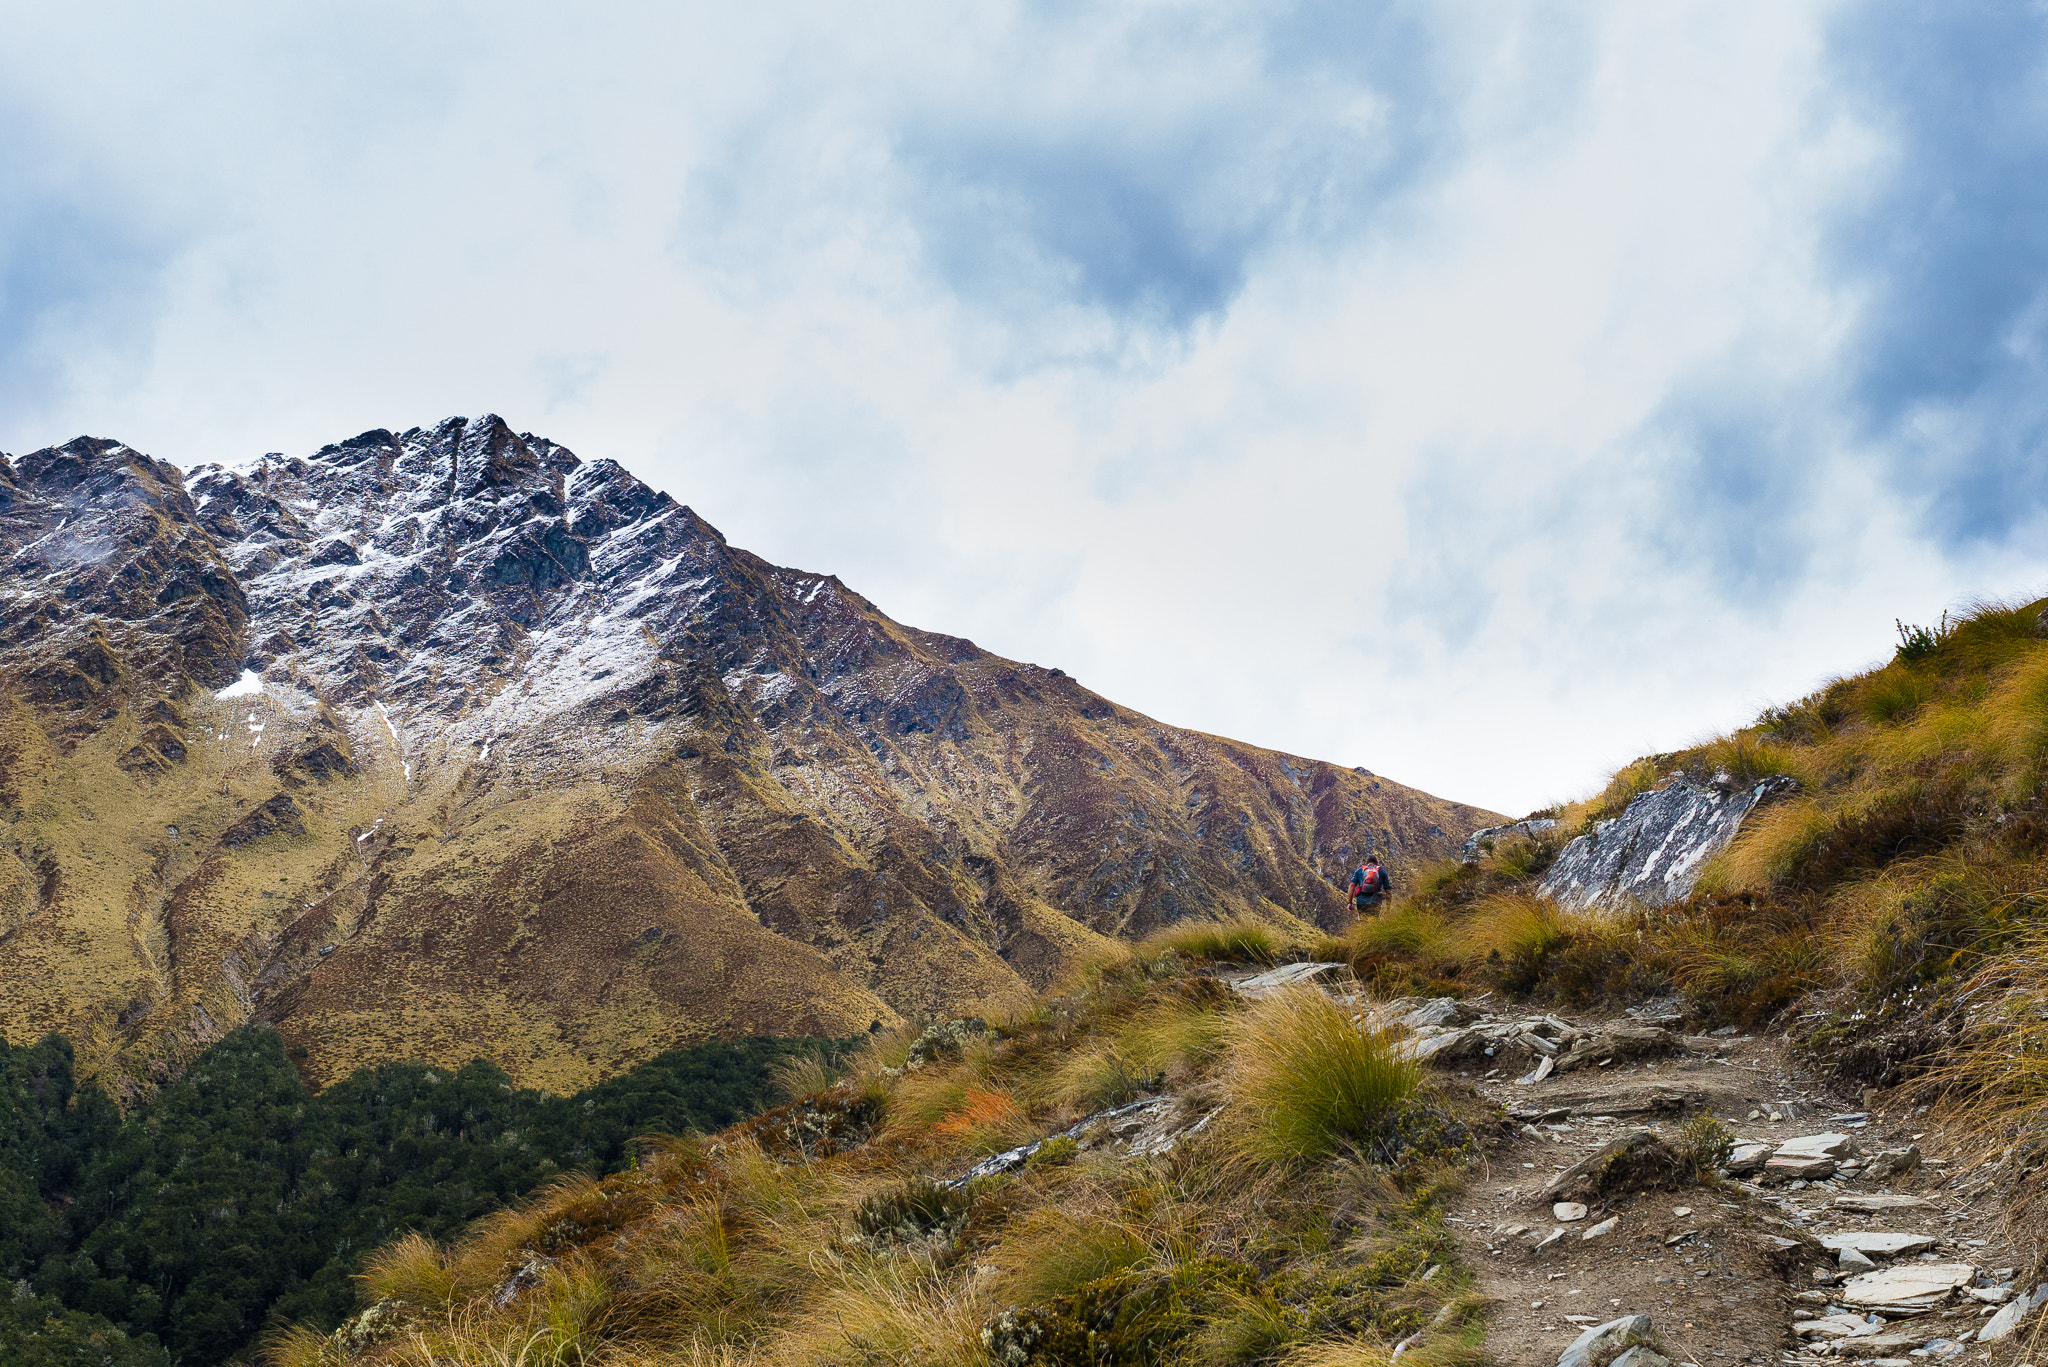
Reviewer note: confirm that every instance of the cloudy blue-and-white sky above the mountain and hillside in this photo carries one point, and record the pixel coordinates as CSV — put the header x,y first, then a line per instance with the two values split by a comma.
x,y
1480,392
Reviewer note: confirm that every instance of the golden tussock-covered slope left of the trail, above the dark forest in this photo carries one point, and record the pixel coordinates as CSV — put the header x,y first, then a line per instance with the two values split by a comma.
x,y
1304,1225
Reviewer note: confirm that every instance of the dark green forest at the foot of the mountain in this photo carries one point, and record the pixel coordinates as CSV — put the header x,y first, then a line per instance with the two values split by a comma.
x,y
237,1198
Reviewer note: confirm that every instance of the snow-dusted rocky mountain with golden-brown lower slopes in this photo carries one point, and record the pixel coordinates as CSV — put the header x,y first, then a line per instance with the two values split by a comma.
x,y
556,776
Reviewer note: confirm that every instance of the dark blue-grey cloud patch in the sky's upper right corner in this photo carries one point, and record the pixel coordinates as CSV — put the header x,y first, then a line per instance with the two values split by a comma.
x,y
1951,364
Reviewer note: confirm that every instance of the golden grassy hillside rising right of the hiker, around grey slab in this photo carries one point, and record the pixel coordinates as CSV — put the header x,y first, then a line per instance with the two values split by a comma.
x,y
1889,913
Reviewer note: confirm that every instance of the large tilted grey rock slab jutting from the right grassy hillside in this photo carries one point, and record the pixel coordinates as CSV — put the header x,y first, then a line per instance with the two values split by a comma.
x,y
1652,854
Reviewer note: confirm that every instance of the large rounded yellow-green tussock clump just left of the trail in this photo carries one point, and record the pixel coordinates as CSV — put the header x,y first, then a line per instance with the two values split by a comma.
x,y
1310,1083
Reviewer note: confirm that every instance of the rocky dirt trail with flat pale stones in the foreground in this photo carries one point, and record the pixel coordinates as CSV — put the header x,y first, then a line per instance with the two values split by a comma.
x,y
1832,1233
